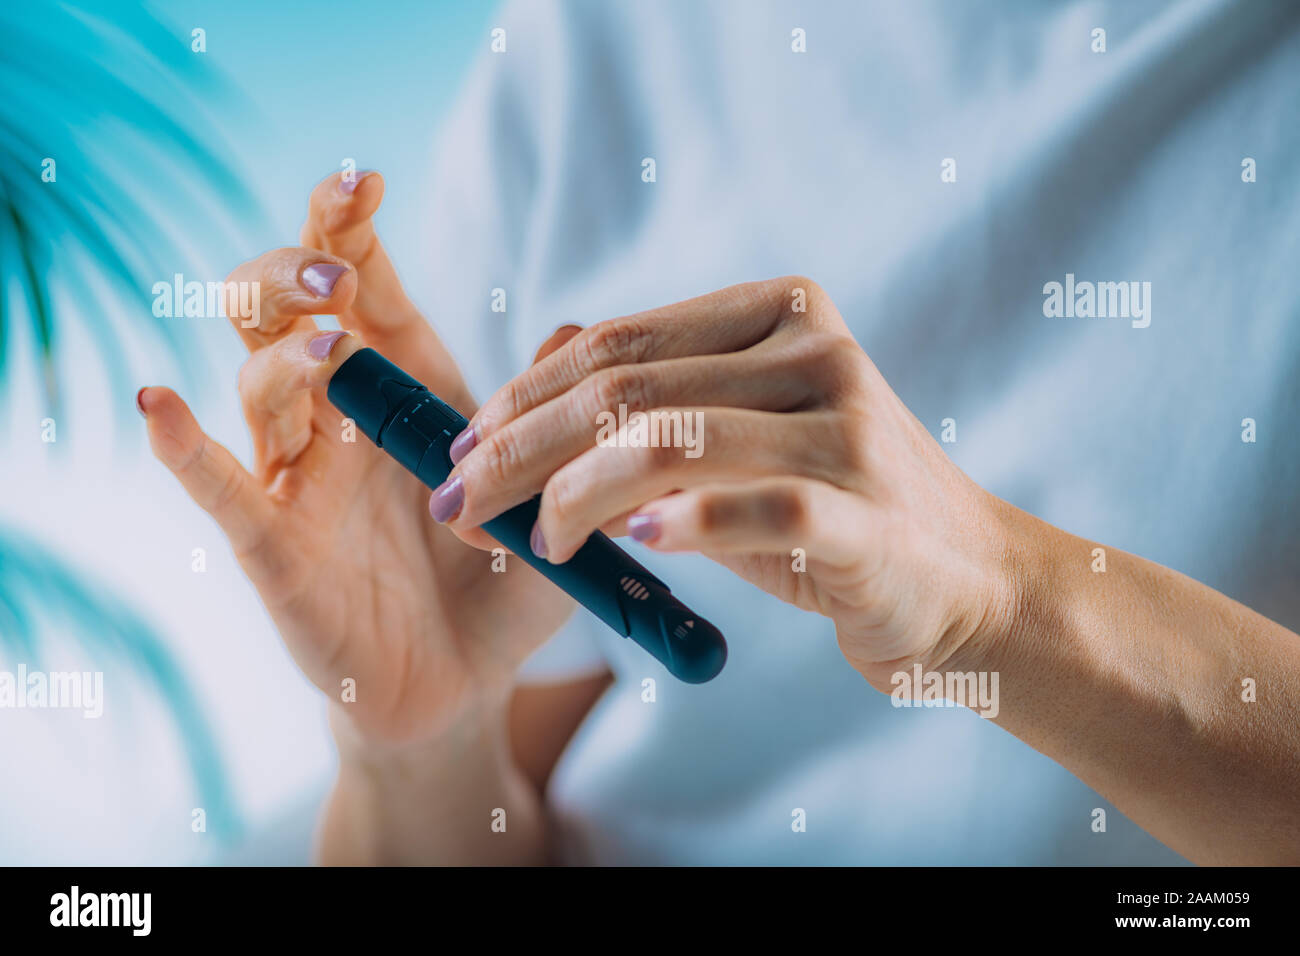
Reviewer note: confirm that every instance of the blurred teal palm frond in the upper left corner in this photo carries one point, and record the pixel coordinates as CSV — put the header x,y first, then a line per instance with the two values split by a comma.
x,y
124,110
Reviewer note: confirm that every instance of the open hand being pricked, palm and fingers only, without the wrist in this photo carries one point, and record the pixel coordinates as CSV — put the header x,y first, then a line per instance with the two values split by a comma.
x,y
336,537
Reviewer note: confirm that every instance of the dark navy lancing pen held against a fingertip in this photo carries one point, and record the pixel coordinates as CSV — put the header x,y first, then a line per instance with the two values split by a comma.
x,y
417,429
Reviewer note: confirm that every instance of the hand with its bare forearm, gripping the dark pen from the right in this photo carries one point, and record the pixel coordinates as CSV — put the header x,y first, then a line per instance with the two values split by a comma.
x,y
1132,680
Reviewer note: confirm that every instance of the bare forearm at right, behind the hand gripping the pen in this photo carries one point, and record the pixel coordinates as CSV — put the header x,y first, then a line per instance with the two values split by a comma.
x,y
1133,680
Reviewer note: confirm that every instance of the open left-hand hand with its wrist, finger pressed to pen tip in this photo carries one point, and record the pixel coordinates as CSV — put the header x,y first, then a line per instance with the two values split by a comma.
x,y
361,582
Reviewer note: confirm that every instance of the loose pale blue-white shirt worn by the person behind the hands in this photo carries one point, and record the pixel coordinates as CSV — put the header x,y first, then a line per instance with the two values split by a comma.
x,y
1113,167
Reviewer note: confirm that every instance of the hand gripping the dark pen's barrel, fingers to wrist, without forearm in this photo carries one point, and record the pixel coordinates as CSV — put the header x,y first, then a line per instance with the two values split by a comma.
x,y
808,477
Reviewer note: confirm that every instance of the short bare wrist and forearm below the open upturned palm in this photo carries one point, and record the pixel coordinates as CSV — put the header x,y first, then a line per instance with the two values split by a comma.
x,y
456,801
